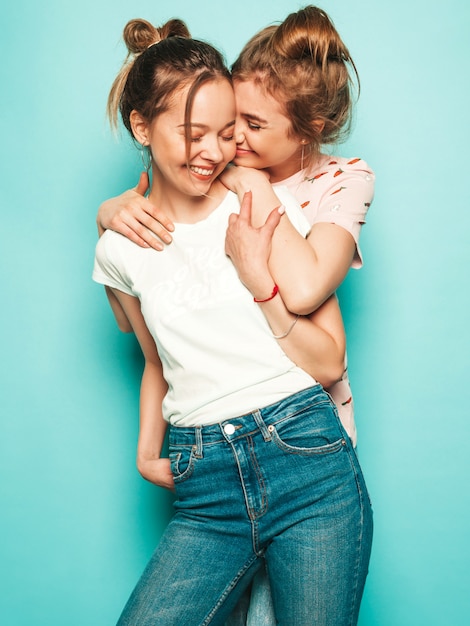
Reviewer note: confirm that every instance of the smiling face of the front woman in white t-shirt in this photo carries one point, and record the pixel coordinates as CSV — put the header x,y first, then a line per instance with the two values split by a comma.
x,y
177,172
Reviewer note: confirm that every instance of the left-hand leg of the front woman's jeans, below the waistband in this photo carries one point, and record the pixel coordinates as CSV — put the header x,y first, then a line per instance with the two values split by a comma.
x,y
205,559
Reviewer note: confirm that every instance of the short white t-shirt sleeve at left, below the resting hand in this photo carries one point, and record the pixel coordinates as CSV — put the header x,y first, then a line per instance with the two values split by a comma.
x,y
108,267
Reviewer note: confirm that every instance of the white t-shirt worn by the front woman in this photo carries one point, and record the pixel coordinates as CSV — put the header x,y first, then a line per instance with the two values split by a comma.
x,y
218,353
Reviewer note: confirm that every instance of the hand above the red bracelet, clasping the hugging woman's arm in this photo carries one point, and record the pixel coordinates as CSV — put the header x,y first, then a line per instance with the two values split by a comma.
x,y
249,248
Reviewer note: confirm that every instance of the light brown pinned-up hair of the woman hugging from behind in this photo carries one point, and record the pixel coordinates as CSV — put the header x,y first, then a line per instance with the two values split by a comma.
x,y
304,64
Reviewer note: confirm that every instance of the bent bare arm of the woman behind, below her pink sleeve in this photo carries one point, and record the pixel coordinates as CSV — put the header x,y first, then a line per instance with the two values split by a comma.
x,y
316,266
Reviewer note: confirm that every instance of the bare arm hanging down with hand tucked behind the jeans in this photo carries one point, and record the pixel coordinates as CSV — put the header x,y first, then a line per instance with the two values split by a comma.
x,y
153,389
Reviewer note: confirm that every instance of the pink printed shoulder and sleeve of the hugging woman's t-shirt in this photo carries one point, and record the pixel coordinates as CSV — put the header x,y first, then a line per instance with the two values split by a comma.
x,y
335,190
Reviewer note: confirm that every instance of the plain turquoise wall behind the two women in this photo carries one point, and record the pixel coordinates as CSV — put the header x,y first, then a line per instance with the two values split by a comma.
x,y
77,522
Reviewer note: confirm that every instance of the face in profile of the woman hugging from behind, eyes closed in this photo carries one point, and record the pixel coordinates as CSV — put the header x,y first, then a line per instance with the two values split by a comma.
x,y
263,133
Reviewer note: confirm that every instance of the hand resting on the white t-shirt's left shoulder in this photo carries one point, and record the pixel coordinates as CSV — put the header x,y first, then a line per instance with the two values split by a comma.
x,y
134,216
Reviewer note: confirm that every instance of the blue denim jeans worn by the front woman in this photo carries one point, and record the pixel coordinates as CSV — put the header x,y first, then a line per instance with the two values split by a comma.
x,y
280,486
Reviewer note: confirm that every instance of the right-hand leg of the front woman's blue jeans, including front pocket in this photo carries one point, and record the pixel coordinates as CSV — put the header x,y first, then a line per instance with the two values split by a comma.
x,y
318,562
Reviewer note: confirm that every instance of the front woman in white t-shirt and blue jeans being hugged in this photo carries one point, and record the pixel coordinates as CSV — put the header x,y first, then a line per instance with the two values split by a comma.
x,y
261,465
